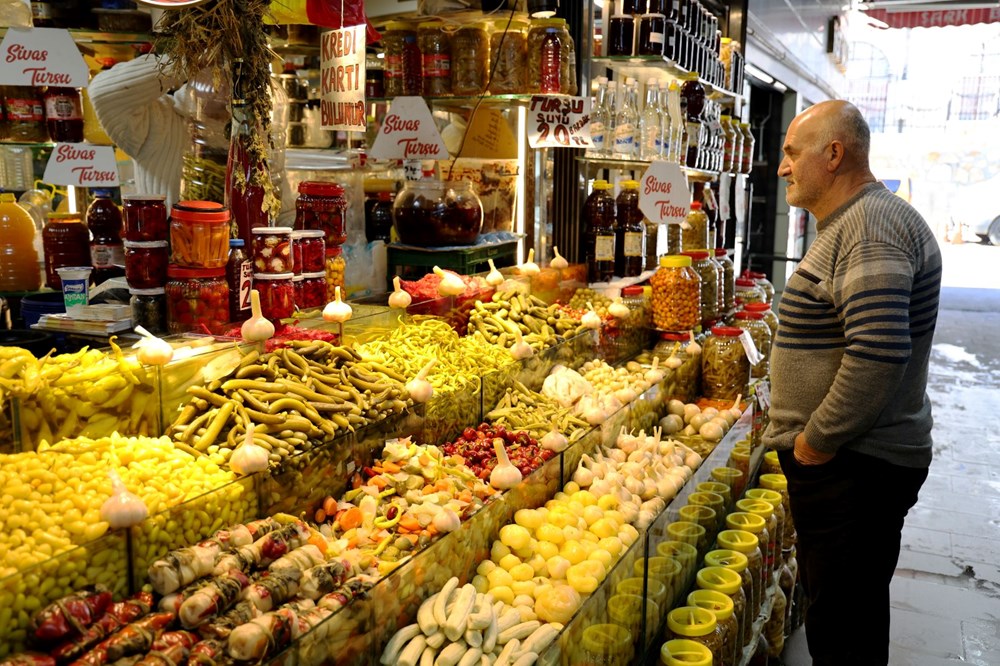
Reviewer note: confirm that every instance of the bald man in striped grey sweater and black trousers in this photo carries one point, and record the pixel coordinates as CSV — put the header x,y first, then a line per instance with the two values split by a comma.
x,y
850,416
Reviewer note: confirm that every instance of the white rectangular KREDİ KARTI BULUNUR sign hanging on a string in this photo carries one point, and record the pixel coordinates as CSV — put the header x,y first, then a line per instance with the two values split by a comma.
x,y
342,79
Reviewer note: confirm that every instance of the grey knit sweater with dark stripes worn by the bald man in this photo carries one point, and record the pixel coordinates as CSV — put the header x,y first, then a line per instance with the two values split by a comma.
x,y
856,321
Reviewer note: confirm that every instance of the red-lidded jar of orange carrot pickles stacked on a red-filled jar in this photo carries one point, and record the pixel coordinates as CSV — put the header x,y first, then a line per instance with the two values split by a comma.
x,y
199,234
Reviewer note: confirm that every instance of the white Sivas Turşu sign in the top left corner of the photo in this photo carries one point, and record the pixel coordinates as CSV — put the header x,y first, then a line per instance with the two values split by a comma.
x,y
41,57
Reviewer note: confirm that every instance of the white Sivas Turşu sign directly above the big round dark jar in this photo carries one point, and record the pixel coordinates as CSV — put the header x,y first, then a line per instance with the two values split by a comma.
x,y
408,132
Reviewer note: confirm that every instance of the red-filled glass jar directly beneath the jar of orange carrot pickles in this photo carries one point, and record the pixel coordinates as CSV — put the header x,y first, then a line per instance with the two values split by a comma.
x,y
197,300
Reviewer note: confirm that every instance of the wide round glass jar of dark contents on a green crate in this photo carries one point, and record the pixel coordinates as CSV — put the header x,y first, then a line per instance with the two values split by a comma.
x,y
433,213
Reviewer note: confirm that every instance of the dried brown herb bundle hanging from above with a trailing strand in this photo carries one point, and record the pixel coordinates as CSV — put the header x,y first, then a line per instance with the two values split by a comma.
x,y
211,36
